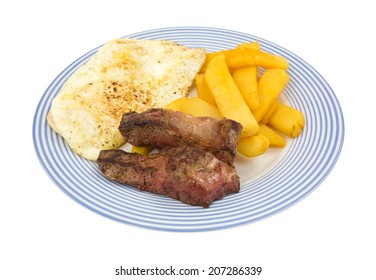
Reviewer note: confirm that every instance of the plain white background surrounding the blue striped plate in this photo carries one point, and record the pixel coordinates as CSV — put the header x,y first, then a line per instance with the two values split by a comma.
x,y
46,235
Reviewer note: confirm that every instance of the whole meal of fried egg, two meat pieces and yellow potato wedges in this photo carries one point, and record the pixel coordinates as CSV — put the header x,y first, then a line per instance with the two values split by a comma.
x,y
184,146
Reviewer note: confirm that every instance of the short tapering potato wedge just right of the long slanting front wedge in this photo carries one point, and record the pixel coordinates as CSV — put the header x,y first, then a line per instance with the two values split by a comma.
x,y
246,81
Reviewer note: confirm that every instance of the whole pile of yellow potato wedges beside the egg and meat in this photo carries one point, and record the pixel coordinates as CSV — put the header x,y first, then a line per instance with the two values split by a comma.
x,y
229,85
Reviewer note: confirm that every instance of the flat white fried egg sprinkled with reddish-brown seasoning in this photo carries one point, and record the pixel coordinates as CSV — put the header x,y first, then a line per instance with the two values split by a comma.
x,y
124,75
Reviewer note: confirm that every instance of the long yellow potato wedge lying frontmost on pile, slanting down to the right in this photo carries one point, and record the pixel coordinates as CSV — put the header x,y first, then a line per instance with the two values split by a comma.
x,y
229,100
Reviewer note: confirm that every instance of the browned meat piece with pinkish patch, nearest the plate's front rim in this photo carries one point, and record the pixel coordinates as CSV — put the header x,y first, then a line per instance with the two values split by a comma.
x,y
185,173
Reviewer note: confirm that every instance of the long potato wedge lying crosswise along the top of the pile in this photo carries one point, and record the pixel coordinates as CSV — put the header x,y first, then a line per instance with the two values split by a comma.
x,y
245,57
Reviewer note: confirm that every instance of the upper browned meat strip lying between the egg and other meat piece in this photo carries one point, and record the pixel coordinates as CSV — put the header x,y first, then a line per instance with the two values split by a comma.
x,y
166,128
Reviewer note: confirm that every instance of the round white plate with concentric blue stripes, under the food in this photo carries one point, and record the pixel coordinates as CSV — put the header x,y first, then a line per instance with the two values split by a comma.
x,y
269,183
